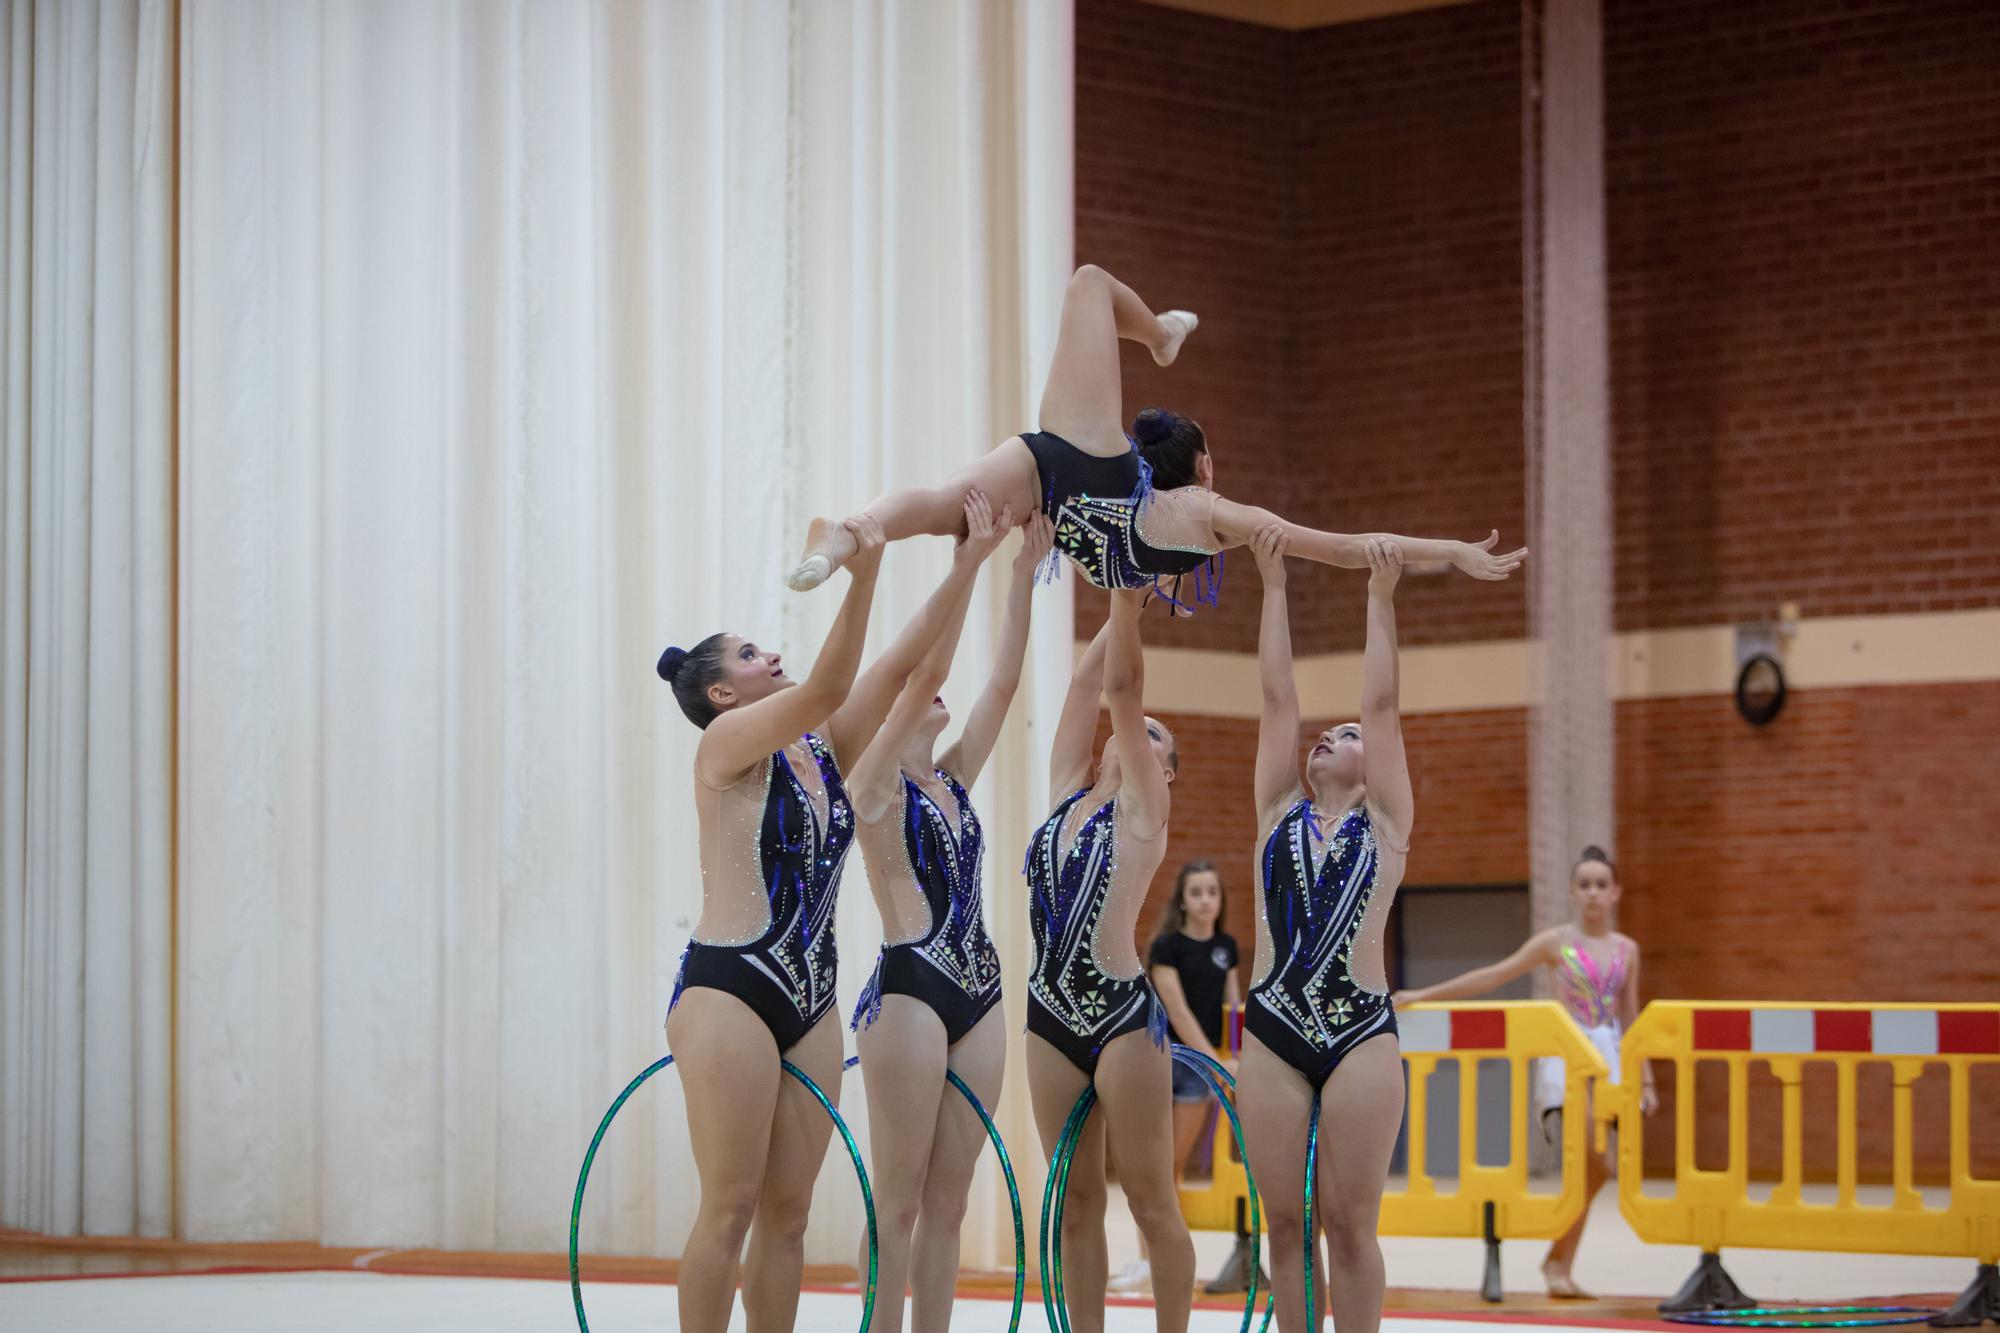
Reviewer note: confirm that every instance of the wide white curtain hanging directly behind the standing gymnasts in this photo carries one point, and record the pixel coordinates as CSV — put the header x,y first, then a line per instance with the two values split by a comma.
x,y
517,343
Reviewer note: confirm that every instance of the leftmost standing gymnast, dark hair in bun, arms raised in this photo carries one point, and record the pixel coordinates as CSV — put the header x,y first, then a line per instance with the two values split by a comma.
x,y
757,984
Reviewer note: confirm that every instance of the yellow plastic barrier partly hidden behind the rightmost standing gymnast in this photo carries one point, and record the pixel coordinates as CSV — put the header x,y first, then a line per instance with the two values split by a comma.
x,y
1513,1032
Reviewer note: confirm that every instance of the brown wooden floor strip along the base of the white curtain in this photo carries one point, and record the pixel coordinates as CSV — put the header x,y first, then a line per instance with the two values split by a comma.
x,y
27,1256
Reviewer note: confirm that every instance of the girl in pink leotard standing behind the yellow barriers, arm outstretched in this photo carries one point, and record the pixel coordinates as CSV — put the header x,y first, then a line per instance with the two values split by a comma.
x,y
1595,974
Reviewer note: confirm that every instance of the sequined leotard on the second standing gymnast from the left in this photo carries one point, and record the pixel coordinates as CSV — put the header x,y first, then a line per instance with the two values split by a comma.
x,y
953,968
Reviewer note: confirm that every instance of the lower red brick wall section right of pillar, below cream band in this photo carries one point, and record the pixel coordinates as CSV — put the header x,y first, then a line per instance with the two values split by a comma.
x,y
1843,854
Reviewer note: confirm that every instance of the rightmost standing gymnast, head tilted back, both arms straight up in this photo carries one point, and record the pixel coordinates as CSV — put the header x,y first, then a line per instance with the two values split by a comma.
x,y
1319,1022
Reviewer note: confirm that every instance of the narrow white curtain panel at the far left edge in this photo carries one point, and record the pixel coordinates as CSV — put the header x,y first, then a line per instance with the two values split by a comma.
x,y
87,577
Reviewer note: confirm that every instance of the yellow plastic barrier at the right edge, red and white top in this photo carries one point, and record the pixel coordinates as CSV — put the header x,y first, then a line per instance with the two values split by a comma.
x,y
1715,1208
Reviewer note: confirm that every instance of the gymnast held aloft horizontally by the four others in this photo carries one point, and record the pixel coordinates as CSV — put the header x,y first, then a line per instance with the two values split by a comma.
x,y
1131,507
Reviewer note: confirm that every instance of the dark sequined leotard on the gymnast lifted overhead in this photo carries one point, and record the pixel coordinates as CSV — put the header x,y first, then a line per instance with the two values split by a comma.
x,y
1101,509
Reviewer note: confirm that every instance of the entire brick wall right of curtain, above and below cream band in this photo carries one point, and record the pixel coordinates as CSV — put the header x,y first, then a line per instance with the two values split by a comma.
x,y
1805,275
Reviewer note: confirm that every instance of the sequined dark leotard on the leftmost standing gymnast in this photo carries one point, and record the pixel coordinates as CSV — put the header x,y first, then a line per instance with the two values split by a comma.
x,y
787,976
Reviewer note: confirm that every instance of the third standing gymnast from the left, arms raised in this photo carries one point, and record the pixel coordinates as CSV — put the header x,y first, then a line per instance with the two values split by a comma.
x,y
1093,1016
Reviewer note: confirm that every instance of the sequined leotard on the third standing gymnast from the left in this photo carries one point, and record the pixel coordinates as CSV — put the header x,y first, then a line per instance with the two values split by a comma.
x,y
1073,1002
